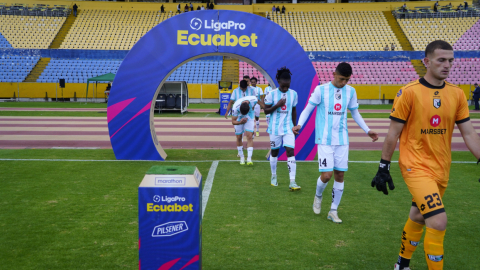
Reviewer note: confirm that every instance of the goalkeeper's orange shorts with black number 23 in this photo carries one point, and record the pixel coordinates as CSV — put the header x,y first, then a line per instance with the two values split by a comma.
x,y
427,195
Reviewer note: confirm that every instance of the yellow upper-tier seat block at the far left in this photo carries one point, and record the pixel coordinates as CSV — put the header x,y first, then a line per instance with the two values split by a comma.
x,y
33,32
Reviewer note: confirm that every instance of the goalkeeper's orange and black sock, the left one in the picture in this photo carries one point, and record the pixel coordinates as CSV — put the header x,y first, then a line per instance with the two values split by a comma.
x,y
412,232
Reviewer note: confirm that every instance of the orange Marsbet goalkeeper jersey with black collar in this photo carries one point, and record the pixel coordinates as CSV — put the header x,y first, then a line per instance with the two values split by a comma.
x,y
429,114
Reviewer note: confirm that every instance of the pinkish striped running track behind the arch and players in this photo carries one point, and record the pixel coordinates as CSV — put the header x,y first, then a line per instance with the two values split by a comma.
x,y
175,132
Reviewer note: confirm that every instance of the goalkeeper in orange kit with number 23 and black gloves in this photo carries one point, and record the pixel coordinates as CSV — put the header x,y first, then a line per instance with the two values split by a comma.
x,y
423,117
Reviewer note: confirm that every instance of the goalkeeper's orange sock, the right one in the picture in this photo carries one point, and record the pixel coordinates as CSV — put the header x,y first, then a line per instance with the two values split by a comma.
x,y
433,246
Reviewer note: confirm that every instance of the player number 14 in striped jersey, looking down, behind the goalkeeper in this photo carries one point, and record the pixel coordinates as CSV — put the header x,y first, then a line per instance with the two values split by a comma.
x,y
331,134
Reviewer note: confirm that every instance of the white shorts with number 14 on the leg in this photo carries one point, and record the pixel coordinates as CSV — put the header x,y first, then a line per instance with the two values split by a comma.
x,y
332,157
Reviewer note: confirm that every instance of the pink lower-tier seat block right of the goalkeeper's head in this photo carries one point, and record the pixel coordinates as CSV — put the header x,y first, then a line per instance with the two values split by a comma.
x,y
465,71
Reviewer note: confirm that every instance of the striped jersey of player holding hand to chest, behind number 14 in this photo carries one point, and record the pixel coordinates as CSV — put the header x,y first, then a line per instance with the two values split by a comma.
x,y
281,119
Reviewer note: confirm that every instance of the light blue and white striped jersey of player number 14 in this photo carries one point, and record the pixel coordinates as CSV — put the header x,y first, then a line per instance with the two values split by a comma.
x,y
331,119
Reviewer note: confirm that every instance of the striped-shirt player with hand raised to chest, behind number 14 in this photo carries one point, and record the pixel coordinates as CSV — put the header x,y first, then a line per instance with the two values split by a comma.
x,y
281,105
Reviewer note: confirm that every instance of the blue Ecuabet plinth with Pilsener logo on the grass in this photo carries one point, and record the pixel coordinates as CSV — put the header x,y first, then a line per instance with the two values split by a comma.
x,y
170,218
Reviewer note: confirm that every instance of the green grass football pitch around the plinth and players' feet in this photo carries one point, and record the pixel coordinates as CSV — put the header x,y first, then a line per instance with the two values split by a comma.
x,y
77,209
